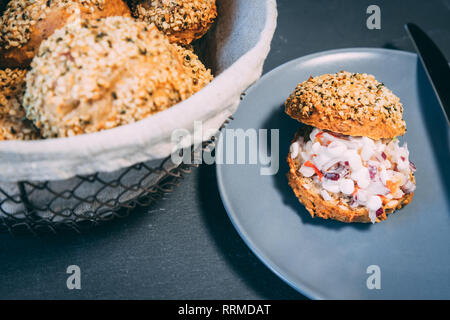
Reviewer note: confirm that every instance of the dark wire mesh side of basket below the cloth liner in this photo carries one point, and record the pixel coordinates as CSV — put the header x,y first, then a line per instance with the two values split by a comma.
x,y
85,201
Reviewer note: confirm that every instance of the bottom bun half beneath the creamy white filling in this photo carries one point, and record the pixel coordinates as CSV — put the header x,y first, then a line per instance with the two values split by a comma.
x,y
318,207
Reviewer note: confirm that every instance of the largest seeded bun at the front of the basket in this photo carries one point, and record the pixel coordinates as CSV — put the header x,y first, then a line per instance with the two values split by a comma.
x,y
95,75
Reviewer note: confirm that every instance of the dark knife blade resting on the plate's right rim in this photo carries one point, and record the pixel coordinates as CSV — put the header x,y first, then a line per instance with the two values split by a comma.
x,y
435,64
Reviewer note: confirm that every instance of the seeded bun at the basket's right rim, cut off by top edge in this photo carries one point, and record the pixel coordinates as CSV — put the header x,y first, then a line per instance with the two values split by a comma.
x,y
181,20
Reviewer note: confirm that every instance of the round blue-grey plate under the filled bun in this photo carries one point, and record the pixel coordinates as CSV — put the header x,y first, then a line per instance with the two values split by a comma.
x,y
329,259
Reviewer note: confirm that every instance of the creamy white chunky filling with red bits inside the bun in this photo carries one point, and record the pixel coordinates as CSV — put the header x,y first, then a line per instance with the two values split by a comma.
x,y
357,171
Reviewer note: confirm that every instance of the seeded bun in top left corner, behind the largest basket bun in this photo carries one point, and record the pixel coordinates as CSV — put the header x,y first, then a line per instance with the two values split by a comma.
x,y
26,23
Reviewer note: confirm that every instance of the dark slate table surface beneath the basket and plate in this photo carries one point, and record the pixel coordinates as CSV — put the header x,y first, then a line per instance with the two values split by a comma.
x,y
184,247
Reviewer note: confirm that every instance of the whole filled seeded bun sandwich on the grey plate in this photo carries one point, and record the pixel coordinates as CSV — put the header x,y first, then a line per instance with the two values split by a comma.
x,y
346,163
